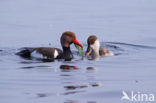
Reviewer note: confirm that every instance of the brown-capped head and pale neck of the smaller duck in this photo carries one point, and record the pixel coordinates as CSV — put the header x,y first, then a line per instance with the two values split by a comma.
x,y
93,46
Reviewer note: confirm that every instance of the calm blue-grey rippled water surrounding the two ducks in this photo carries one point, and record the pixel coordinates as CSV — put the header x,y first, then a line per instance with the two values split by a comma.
x,y
126,27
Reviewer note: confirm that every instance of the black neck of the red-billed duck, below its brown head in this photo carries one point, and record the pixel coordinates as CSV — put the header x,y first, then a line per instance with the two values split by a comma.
x,y
67,54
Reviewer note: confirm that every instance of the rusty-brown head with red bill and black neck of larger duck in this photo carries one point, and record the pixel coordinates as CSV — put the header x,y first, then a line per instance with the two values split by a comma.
x,y
67,39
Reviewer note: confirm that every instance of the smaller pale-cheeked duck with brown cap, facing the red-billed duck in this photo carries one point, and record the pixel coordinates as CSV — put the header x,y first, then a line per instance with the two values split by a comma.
x,y
94,50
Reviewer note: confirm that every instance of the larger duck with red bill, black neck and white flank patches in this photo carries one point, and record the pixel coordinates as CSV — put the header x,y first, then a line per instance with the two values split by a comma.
x,y
66,40
